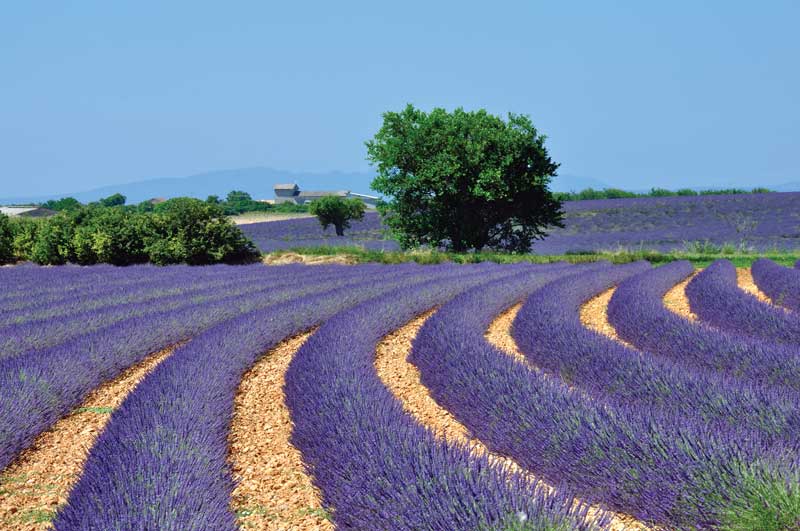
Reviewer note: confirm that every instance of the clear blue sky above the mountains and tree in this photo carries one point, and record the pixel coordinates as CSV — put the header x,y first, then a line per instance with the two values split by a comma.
x,y
633,93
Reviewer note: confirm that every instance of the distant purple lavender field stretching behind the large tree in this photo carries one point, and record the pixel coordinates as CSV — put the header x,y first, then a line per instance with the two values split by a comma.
x,y
758,221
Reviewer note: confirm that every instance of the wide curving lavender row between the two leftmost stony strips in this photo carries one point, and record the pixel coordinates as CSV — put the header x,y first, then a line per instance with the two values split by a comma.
x,y
187,436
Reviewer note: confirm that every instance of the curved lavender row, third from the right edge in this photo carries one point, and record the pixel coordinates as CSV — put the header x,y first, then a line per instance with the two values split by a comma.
x,y
637,313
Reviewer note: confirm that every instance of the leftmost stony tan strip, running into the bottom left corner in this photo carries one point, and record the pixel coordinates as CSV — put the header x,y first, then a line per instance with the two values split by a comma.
x,y
38,481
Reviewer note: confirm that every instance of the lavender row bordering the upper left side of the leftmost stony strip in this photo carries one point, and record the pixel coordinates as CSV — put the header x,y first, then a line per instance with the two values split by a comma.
x,y
43,385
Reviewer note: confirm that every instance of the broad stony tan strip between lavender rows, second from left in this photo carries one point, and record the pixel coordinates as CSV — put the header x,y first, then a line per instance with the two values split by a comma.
x,y
272,491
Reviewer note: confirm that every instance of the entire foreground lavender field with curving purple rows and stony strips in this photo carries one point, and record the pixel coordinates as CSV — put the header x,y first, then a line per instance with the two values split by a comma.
x,y
661,420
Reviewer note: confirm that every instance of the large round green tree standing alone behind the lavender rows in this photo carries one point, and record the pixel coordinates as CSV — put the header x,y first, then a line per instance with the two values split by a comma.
x,y
464,180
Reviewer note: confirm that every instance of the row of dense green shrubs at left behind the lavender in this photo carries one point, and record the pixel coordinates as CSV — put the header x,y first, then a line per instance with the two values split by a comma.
x,y
181,230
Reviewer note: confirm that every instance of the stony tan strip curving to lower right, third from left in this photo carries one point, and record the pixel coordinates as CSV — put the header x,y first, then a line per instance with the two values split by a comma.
x,y
403,380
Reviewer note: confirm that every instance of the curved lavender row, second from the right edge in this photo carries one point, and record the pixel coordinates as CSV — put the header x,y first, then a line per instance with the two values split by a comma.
x,y
716,298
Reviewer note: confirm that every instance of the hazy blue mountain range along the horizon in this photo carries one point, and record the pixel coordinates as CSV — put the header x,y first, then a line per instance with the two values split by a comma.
x,y
258,182
